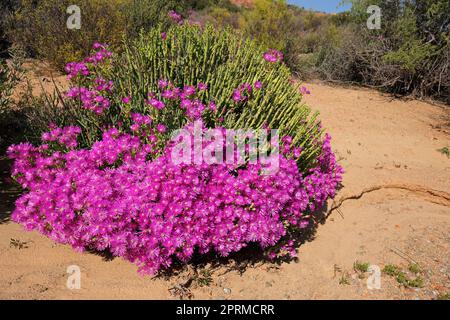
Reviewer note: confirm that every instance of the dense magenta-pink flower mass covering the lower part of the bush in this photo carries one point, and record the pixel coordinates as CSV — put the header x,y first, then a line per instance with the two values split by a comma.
x,y
110,197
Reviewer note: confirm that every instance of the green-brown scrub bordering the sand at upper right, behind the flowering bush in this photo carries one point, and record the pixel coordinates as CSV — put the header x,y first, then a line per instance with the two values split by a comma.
x,y
410,54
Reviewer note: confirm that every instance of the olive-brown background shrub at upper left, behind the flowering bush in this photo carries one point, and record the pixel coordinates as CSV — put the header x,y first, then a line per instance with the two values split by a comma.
x,y
40,28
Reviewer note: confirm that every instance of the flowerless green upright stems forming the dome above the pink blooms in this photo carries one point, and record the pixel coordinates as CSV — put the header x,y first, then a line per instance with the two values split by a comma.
x,y
223,60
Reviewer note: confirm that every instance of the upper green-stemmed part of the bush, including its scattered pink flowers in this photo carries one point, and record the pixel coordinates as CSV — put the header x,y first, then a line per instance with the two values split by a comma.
x,y
210,69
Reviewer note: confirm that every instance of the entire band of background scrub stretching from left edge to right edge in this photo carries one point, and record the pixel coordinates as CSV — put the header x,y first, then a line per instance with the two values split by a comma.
x,y
409,55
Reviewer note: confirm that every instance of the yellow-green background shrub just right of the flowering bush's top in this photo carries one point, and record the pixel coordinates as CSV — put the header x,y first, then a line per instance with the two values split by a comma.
x,y
274,24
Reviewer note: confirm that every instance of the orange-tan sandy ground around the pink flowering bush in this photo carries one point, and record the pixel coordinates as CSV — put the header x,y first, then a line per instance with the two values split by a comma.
x,y
394,209
